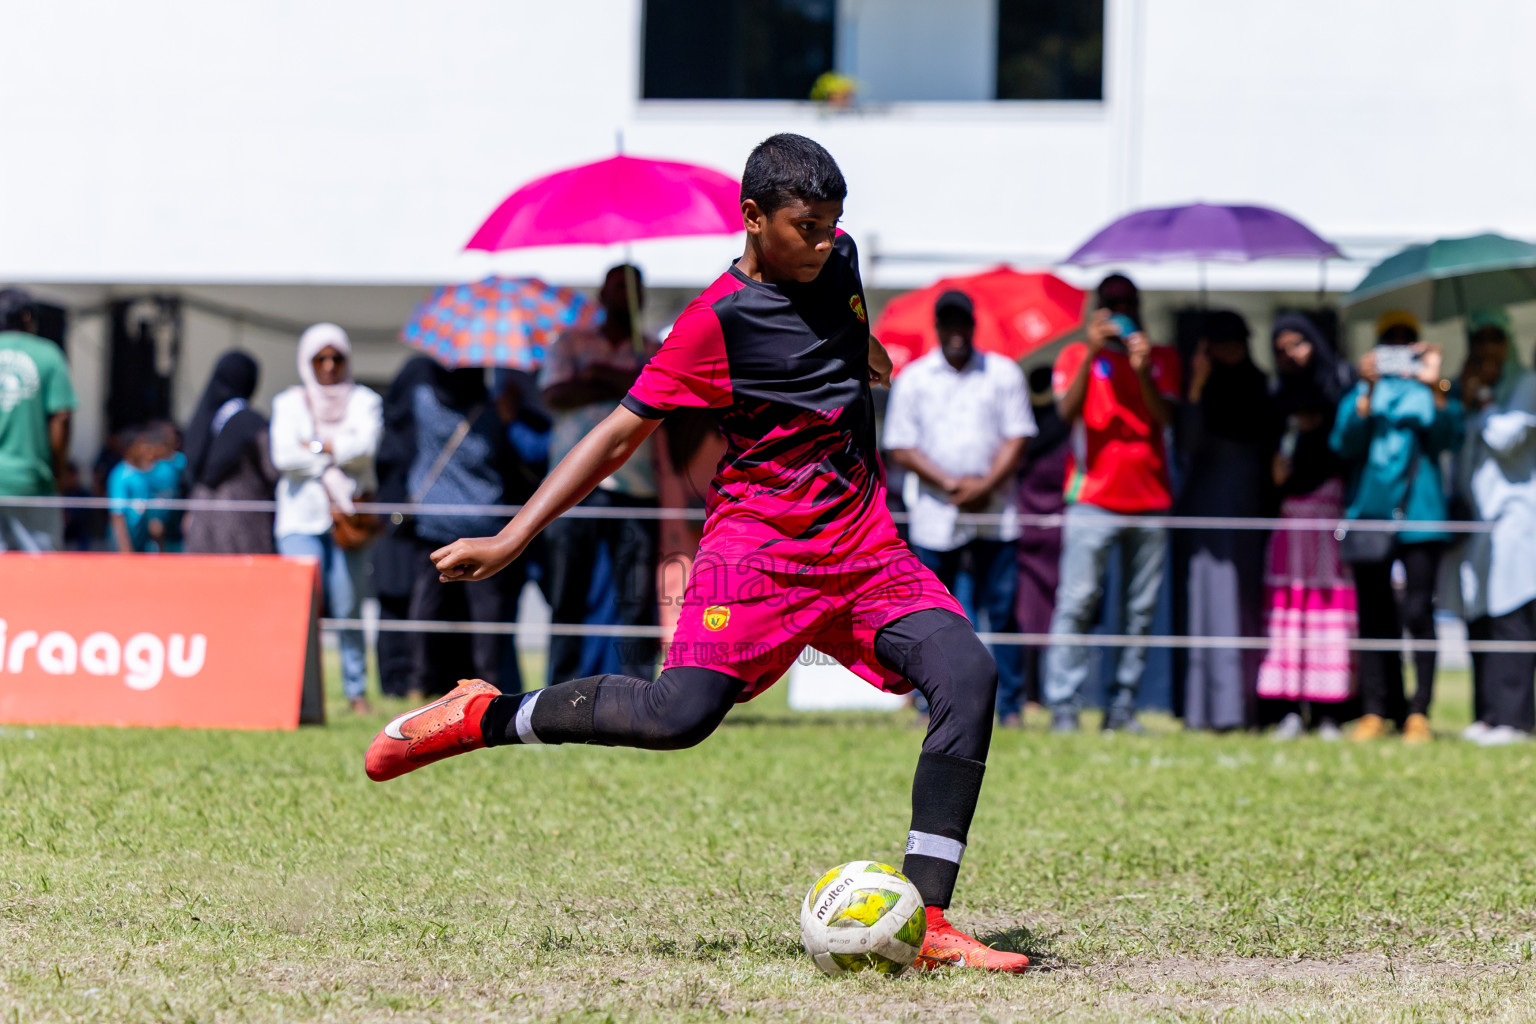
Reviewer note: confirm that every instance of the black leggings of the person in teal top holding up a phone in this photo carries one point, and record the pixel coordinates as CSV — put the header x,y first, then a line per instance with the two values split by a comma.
x,y
1383,618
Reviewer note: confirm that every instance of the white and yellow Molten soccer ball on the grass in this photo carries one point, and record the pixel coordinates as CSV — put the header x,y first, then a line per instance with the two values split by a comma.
x,y
864,916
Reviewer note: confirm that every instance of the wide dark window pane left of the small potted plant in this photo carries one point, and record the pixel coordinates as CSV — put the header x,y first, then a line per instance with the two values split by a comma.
x,y
737,50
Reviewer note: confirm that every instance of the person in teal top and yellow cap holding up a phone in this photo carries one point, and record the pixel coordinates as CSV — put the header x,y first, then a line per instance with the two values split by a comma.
x,y
1391,431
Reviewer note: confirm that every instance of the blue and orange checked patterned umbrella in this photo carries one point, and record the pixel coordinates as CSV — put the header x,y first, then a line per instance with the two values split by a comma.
x,y
497,323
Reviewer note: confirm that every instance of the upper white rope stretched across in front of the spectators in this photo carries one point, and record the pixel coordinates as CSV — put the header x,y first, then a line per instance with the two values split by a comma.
x,y
584,512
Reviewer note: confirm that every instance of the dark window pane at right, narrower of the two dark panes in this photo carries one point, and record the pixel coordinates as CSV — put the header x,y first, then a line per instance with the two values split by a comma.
x,y
1050,50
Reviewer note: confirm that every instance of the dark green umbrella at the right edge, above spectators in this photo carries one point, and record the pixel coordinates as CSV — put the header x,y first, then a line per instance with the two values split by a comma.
x,y
1451,277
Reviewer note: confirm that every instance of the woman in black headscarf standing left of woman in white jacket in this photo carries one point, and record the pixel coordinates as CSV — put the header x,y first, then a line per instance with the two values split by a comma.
x,y
230,460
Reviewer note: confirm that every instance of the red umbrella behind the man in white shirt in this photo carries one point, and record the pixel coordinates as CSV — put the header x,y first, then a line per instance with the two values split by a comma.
x,y
1015,314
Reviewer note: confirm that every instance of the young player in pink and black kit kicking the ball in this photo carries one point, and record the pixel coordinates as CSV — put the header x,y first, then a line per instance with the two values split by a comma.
x,y
798,547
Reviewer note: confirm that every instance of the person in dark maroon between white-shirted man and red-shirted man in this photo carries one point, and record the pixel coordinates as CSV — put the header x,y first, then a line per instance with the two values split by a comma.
x,y
1041,477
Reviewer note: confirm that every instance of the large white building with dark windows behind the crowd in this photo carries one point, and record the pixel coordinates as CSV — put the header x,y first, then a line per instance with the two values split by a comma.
x,y
279,164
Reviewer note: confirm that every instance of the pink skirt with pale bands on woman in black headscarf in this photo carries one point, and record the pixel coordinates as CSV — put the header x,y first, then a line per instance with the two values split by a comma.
x,y
1311,607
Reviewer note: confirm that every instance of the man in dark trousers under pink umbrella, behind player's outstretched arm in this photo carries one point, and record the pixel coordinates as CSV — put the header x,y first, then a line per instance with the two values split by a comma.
x,y
586,374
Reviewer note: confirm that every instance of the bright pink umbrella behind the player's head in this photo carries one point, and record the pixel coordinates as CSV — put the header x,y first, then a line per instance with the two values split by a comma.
x,y
617,200
